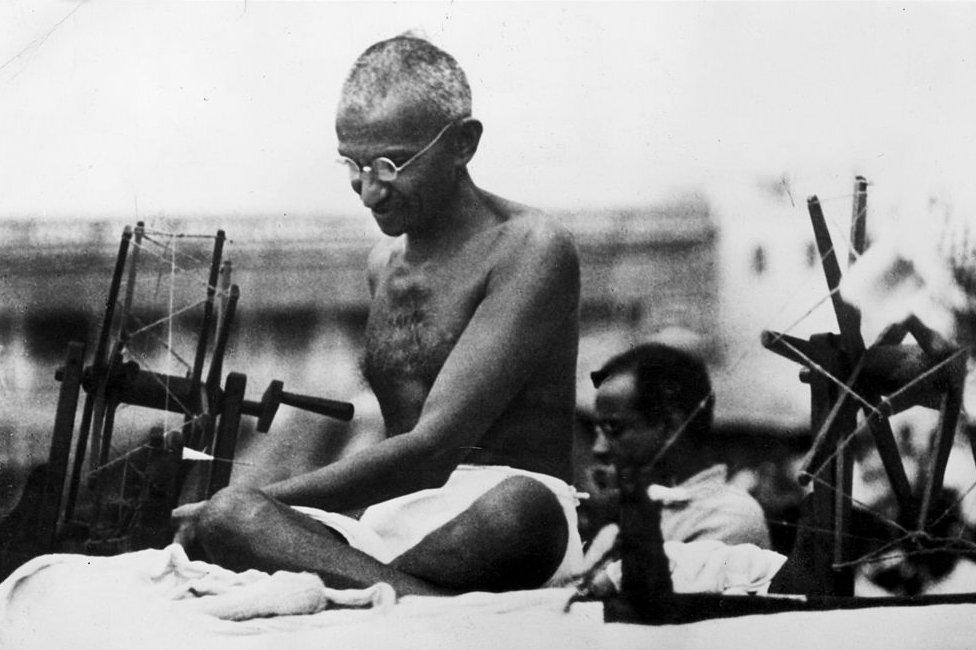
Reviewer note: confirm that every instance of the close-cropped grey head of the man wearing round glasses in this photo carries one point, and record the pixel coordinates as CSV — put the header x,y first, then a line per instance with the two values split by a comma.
x,y
409,102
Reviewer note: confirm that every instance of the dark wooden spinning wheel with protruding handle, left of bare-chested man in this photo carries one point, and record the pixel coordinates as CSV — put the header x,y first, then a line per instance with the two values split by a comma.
x,y
130,496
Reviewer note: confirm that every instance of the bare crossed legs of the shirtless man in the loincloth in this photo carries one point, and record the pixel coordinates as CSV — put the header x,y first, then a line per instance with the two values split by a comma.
x,y
512,537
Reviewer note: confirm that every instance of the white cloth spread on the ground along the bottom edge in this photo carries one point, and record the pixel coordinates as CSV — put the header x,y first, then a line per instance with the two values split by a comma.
x,y
110,604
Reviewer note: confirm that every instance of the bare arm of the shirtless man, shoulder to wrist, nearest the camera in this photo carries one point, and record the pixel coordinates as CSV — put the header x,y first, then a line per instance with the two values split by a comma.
x,y
530,297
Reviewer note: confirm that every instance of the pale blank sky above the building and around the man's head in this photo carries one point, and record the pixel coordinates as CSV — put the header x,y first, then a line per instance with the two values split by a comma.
x,y
123,110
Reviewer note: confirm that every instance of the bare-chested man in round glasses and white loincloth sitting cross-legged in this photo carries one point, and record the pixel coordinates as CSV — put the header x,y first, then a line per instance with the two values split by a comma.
x,y
471,347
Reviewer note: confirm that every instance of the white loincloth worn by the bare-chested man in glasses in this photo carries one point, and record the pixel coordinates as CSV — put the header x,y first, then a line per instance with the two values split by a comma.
x,y
390,528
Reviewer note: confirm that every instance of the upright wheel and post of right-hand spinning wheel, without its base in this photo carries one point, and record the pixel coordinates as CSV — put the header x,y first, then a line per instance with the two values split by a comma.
x,y
846,379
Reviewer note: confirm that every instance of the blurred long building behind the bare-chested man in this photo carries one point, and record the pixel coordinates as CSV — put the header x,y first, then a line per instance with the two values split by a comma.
x,y
681,271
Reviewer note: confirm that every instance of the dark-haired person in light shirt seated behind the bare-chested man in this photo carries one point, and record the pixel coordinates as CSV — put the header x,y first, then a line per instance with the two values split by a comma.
x,y
653,416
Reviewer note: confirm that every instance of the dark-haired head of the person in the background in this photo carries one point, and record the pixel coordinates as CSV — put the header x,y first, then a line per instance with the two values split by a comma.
x,y
653,402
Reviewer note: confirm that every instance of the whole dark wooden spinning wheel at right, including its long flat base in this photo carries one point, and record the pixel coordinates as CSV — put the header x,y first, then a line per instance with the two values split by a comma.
x,y
854,390
